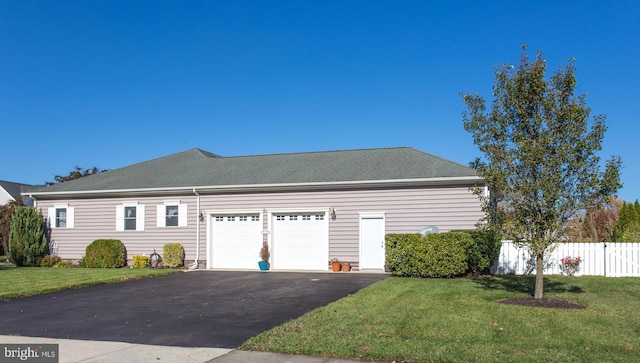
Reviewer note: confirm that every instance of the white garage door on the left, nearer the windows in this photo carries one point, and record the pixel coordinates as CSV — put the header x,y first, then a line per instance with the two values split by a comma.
x,y
236,240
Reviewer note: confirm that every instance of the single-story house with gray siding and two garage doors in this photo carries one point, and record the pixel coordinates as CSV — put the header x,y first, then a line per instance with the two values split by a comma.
x,y
309,207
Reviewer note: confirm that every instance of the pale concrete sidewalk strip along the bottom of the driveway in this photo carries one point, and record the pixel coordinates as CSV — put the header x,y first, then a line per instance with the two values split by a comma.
x,y
85,351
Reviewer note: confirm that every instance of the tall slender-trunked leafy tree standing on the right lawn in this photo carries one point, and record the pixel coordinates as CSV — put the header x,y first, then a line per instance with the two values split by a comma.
x,y
540,152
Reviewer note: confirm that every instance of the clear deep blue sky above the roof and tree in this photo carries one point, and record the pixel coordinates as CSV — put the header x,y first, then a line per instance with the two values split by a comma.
x,y
112,83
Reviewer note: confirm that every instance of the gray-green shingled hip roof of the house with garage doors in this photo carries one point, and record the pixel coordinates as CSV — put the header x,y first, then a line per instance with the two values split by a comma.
x,y
199,169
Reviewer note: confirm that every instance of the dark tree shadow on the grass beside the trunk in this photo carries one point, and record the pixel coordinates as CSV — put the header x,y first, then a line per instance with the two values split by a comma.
x,y
525,284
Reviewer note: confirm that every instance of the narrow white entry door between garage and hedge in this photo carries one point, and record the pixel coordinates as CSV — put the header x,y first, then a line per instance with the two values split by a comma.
x,y
372,232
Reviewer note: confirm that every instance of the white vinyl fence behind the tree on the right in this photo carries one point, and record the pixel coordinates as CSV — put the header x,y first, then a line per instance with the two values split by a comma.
x,y
598,259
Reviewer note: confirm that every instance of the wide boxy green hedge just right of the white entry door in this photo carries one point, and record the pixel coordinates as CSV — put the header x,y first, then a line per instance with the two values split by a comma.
x,y
433,255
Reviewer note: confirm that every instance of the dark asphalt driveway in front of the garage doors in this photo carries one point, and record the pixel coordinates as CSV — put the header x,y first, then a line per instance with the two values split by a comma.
x,y
219,309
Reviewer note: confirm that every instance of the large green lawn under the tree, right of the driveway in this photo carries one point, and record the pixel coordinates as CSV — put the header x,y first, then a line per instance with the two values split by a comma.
x,y
459,320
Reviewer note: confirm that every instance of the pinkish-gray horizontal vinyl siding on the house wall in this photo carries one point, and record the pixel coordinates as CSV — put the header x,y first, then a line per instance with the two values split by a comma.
x,y
406,211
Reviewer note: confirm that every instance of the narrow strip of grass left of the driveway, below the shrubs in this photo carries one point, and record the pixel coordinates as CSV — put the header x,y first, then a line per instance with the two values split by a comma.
x,y
26,281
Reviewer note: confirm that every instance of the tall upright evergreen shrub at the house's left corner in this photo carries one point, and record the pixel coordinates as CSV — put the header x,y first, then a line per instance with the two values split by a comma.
x,y
27,237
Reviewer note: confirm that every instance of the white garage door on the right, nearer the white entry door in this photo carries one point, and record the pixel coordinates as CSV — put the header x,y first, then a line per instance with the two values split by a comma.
x,y
300,241
